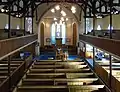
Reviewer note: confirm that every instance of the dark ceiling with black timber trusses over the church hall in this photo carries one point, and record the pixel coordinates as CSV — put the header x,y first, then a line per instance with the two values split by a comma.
x,y
21,8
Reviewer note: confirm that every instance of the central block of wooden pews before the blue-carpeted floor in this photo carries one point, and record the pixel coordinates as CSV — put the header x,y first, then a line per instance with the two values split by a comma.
x,y
59,76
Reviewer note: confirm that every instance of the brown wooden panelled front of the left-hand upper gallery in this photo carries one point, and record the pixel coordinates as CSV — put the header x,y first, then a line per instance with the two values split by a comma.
x,y
9,45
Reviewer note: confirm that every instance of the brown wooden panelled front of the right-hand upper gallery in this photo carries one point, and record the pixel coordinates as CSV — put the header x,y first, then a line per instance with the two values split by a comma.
x,y
109,45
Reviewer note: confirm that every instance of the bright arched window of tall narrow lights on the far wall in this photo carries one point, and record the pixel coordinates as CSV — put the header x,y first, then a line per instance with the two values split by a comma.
x,y
58,31
